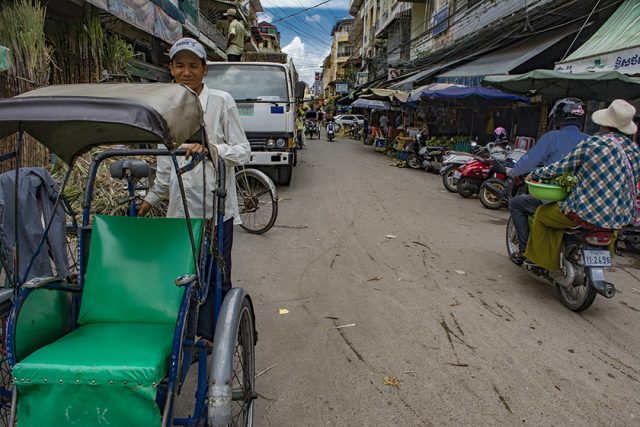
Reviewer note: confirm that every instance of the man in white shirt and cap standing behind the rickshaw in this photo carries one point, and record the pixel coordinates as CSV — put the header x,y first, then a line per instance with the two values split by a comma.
x,y
226,139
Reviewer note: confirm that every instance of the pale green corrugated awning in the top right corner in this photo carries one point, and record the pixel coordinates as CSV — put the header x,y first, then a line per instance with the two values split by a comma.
x,y
621,31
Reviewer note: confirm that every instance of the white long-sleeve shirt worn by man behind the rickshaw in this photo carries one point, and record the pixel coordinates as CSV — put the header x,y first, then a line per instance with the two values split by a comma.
x,y
224,130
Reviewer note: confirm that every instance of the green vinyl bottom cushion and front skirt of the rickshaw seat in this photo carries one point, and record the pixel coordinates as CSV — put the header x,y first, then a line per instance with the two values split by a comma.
x,y
98,374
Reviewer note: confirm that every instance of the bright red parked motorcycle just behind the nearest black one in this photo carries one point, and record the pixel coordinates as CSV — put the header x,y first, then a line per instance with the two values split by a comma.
x,y
470,176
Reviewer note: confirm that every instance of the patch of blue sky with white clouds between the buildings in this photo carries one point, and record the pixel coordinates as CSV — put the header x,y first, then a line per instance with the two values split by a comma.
x,y
306,37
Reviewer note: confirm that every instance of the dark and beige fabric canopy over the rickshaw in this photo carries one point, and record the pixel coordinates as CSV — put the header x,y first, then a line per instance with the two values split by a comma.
x,y
71,119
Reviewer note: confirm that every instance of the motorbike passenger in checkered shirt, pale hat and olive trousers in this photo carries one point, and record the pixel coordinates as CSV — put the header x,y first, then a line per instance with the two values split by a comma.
x,y
607,166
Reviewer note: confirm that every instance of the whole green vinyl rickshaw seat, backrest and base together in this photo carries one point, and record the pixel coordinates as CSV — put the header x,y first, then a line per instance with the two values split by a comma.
x,y
106,371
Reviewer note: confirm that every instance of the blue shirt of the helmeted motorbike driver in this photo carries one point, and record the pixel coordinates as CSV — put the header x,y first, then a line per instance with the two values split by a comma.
x,y
551,147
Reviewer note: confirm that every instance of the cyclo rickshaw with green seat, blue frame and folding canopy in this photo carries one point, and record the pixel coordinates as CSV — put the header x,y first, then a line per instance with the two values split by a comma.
x,y
115,347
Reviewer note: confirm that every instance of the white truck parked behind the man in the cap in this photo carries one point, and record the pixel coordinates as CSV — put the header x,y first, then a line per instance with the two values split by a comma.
x,y
266,94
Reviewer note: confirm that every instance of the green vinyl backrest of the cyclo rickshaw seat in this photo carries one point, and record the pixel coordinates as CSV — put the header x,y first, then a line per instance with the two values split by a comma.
x,y
132,267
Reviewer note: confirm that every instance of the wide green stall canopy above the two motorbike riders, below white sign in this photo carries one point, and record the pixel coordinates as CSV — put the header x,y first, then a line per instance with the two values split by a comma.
x,y
552,85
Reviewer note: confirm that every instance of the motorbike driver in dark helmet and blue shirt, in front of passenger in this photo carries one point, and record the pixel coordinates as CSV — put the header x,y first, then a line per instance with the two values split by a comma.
x,y
568,115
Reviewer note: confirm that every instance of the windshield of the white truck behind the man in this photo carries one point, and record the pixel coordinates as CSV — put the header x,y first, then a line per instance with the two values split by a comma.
x,y
249,83
